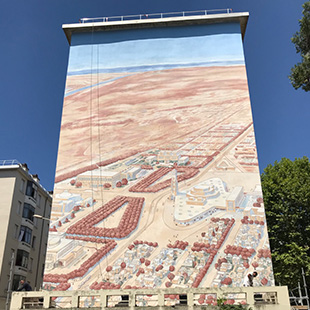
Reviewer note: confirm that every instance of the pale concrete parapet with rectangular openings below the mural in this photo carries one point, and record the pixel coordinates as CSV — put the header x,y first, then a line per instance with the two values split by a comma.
x,y
273,298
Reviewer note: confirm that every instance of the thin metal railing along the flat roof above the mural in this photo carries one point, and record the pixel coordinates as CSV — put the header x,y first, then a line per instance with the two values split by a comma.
x,y
154,15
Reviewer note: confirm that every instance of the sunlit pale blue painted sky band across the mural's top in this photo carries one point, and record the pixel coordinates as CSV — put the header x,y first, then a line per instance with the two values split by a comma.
x,y
136,55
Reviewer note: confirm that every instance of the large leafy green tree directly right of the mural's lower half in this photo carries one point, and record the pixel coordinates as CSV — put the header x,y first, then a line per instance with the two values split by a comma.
x,y
286,189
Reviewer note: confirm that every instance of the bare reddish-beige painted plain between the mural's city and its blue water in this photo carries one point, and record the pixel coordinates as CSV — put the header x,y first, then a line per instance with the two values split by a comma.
x,y
146,110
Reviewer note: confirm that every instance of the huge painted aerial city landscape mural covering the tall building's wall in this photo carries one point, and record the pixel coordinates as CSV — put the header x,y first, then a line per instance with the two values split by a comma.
x,y
157,181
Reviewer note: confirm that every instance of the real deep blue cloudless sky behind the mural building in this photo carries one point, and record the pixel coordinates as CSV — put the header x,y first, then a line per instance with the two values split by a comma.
x,y
34,53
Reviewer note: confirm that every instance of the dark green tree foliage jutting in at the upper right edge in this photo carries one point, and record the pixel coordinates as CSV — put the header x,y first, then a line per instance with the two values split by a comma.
x,y
300,73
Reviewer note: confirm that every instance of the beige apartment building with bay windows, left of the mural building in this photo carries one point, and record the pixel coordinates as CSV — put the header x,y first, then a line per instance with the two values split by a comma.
x,y
22,196
